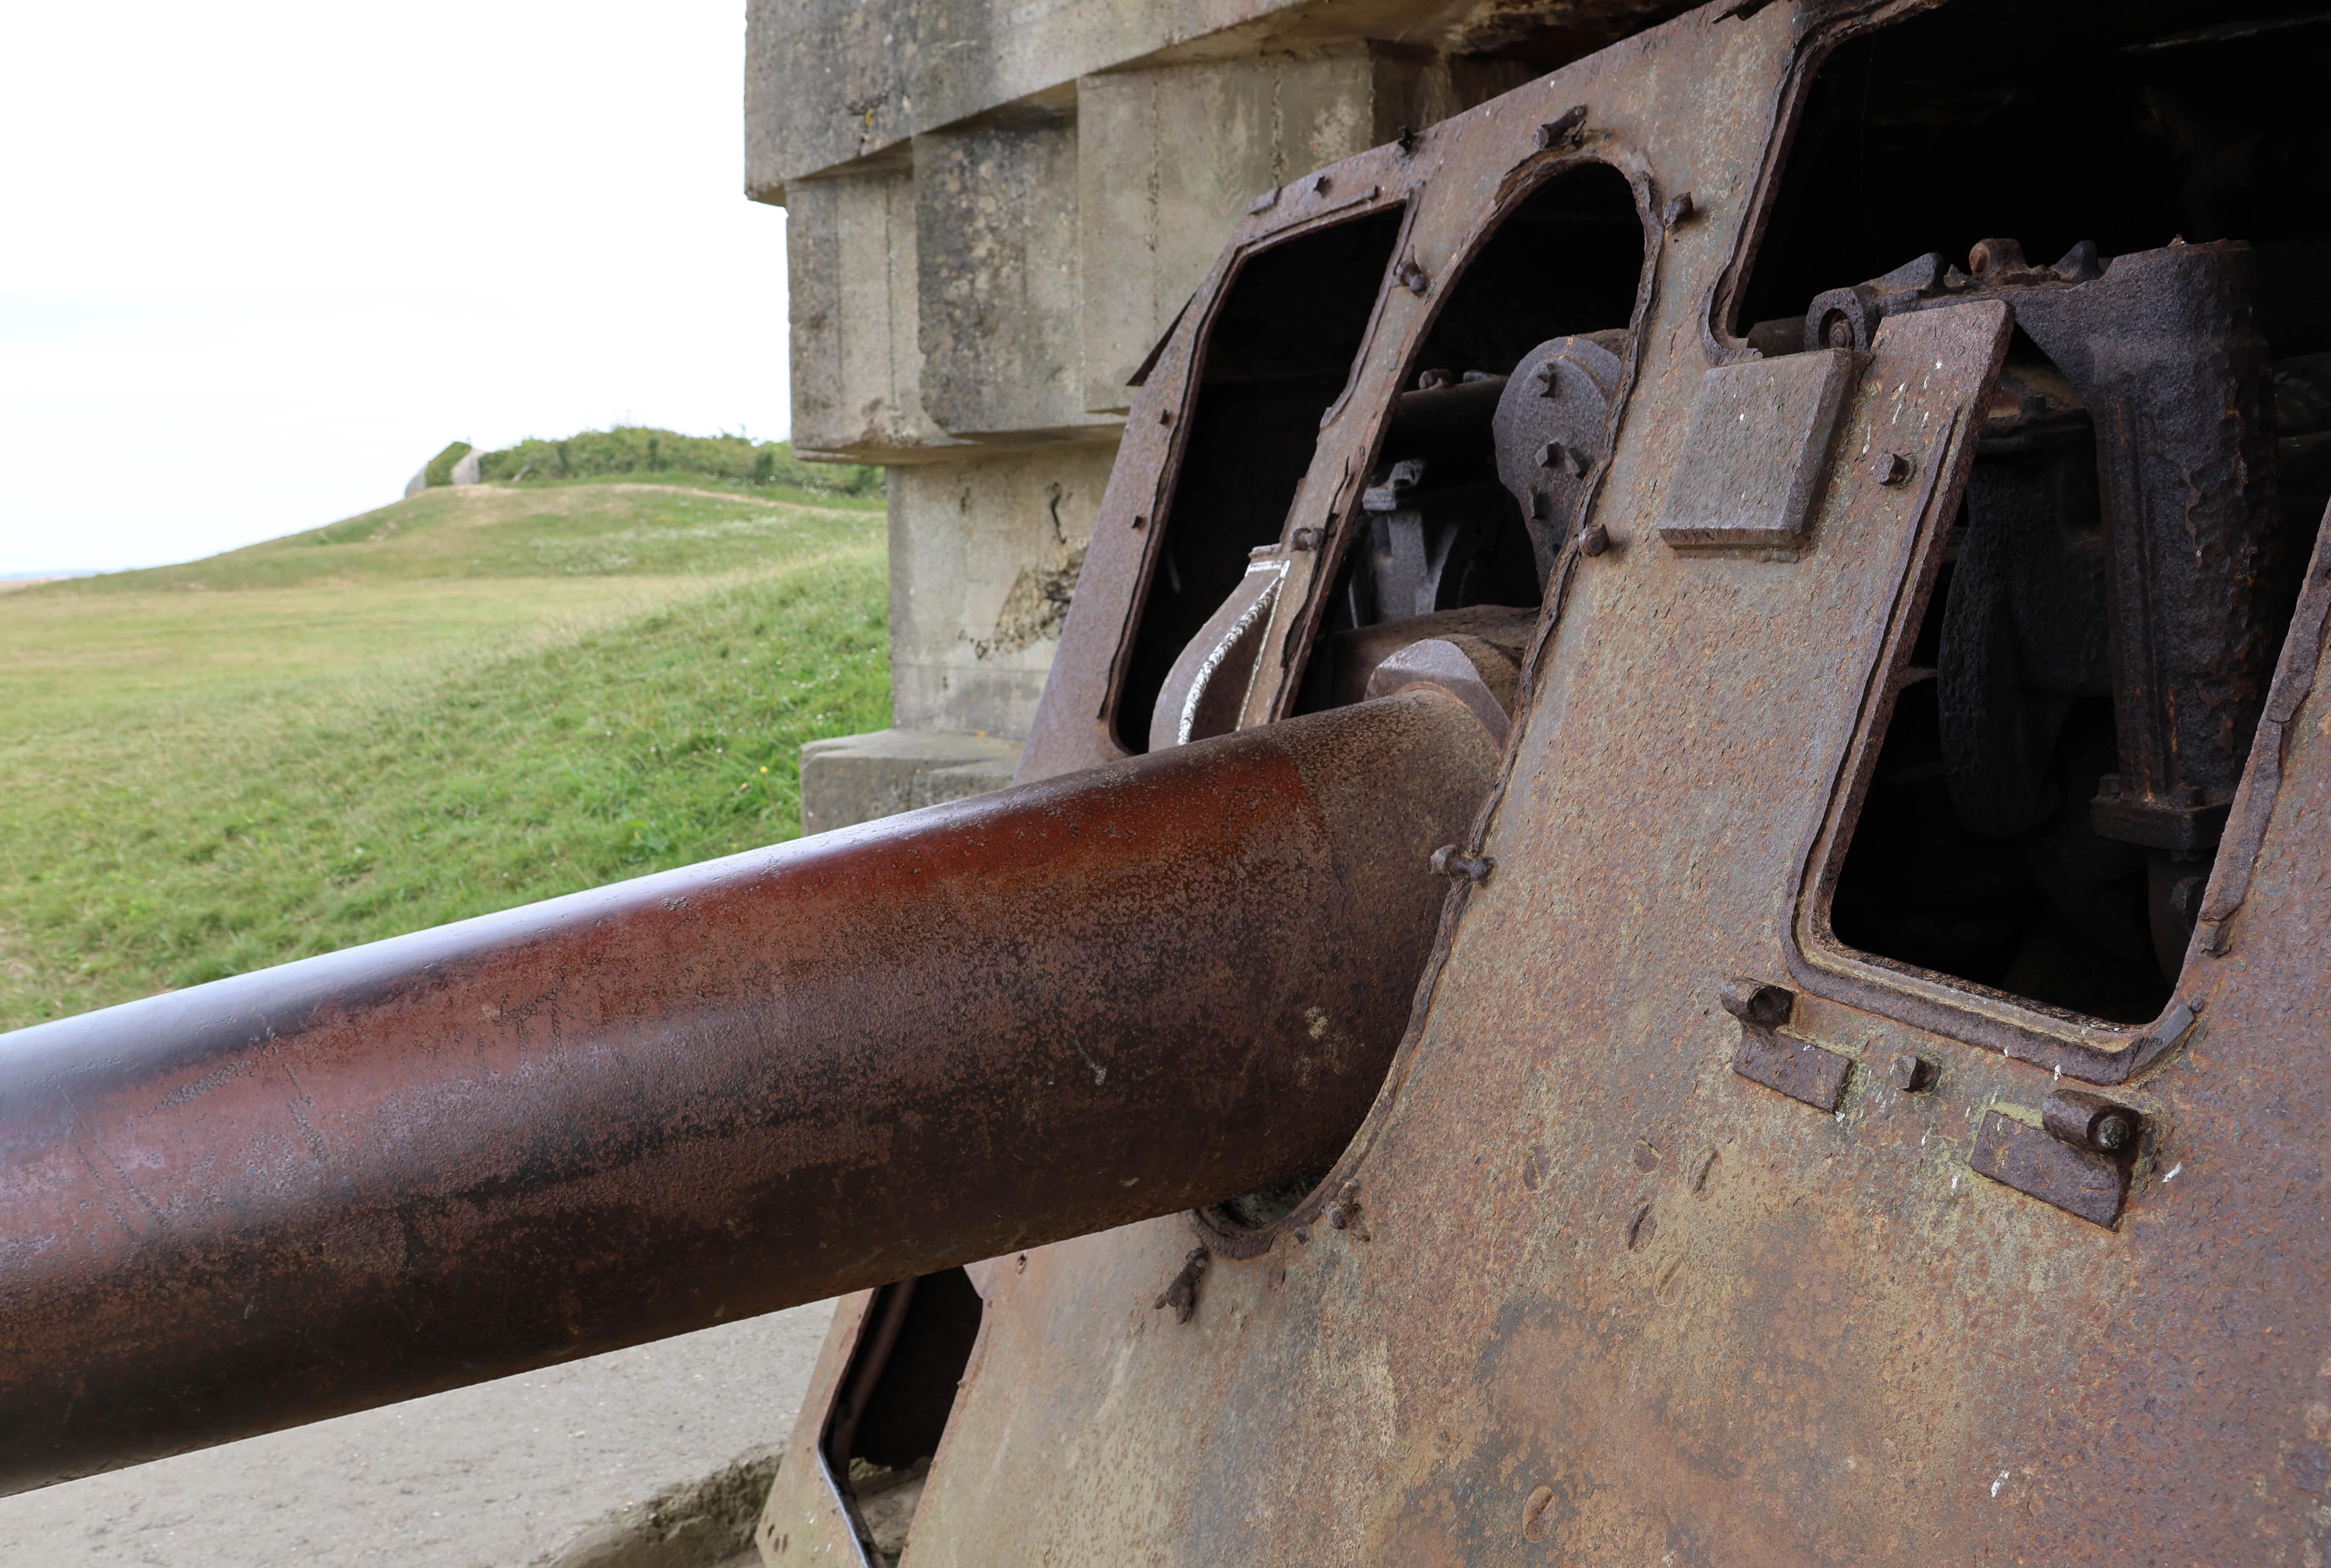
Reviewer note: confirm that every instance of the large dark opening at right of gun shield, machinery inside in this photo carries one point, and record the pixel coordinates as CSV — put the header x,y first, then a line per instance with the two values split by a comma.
x,y
2057,751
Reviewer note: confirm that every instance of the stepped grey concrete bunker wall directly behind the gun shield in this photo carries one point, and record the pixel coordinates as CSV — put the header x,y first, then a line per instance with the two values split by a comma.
x,y
997,209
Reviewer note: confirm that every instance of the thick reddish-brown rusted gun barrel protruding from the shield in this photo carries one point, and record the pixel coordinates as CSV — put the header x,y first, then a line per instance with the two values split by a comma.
x,y
714,1092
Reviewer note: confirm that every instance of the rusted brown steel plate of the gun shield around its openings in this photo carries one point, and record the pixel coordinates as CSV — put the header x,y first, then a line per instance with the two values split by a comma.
x,y
1596,1297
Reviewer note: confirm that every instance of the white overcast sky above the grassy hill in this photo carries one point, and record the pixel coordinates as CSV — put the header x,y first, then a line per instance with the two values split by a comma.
x,y
265,260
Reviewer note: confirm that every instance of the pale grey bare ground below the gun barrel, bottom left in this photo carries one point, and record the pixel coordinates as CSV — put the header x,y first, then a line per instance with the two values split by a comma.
x,y
500,1476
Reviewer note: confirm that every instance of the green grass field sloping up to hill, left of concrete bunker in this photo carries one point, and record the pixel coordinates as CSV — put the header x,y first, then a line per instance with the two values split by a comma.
x,y
453,705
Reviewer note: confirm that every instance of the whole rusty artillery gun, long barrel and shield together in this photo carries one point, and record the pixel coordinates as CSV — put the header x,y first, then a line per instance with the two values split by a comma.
x,y
1670,905
